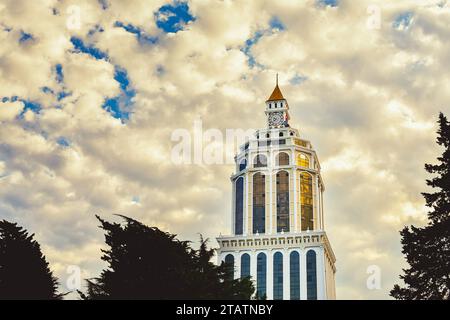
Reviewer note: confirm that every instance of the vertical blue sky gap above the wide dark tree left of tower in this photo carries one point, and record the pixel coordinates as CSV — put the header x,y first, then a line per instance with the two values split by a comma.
x,y
120,106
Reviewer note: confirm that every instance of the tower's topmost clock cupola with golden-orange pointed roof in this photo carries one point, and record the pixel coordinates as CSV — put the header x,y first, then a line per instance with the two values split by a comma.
x,y
277,109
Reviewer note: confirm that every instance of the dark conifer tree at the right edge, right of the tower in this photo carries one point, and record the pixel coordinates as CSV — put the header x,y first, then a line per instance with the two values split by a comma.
x,y
427,249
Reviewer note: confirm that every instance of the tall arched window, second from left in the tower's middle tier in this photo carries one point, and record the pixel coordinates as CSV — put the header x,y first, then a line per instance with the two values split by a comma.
x,y
259,203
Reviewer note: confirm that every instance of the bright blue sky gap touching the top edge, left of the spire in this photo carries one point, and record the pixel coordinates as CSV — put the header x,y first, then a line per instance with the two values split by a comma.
x,y
172,18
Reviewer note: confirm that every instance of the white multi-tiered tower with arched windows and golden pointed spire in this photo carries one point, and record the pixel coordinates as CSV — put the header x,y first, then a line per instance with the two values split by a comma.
x,y
277,235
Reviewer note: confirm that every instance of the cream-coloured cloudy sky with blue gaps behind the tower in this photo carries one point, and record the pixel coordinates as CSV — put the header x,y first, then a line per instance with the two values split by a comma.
x,y
91,91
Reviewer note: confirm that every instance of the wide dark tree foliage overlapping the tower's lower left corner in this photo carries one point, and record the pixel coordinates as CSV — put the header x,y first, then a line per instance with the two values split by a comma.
x,y
147,263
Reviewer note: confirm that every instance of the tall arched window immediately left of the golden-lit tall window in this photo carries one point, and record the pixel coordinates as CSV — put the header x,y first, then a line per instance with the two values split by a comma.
x,y
282,201
